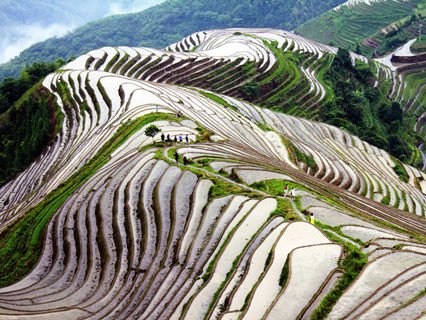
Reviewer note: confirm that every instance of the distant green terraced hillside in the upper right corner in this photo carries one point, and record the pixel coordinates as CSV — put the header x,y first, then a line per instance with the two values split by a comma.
x,y
386,30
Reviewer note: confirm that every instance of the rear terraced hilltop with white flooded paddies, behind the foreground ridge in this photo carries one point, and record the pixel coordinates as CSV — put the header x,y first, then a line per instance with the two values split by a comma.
x,y
262,66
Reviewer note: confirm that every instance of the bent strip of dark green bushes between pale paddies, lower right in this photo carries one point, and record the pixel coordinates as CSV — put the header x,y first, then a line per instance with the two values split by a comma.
x,y
351,265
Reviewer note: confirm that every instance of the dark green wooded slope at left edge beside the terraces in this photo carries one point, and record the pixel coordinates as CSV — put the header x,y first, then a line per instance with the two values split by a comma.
x,y
27,119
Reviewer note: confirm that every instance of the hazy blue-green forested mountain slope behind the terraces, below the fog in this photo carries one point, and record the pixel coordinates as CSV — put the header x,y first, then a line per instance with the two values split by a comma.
x,y
169,22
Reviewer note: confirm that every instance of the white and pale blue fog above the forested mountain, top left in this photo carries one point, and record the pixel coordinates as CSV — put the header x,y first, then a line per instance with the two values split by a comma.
x,y
23,23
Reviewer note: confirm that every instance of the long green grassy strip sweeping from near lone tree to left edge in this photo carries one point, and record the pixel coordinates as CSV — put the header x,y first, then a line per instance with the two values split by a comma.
x,y
22,243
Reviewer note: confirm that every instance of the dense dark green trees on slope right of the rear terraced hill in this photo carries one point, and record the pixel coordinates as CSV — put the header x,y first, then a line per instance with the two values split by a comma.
x,y
366,111
